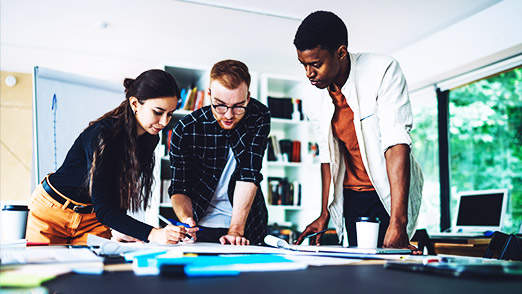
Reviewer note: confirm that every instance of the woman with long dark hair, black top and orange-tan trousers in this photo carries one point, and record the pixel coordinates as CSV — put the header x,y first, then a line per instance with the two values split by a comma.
x,y
109,171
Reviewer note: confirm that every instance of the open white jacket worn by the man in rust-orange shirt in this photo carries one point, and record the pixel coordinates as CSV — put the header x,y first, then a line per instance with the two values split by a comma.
x,y
377,93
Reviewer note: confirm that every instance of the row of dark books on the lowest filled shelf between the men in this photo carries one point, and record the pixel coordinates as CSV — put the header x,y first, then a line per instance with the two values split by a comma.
x,y
283,192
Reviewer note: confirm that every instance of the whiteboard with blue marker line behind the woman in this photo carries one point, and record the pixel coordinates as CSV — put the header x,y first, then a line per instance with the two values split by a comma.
x,y
77,101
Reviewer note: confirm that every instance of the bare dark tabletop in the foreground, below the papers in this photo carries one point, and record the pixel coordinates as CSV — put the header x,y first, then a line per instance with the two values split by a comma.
x,y
322,280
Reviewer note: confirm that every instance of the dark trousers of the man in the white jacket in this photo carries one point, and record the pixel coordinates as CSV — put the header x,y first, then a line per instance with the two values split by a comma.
x,y
358,204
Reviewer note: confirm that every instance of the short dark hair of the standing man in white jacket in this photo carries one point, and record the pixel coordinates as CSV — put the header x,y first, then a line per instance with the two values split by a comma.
x,y
321,29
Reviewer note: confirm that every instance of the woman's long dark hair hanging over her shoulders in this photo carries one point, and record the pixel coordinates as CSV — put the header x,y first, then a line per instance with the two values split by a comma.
x,y
136,157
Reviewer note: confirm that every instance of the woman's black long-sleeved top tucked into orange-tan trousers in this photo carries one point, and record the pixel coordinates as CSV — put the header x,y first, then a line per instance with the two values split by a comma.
x,y
72,179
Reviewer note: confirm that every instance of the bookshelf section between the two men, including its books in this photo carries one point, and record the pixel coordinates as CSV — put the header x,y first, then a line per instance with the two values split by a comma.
x,y
280,92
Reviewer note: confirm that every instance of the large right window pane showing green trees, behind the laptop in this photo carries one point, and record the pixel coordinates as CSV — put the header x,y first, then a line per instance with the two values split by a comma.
x,y
485,139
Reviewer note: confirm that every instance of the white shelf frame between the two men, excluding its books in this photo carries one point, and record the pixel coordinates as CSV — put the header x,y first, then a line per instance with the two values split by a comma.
x,y
306,172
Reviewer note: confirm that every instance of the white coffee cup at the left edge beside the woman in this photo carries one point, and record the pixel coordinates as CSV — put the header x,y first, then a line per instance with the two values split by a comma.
x,y
13,220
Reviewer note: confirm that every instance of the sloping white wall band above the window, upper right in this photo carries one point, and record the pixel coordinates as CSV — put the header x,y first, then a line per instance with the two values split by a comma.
x,y
484,38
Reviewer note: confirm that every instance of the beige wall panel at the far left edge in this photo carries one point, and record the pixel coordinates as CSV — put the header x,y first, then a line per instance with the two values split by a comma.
x,y
15,137
